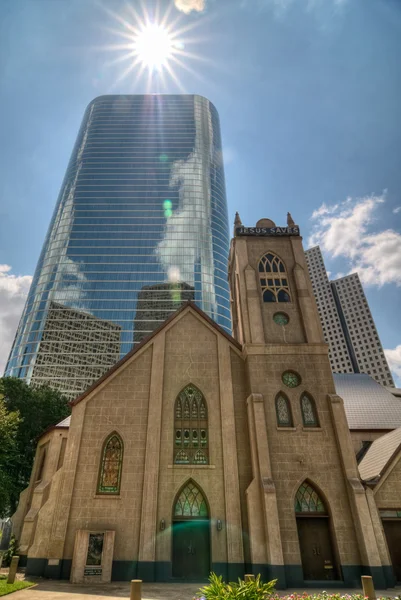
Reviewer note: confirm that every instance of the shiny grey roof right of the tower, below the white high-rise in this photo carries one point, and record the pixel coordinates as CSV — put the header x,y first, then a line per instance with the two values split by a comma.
x,y
368,405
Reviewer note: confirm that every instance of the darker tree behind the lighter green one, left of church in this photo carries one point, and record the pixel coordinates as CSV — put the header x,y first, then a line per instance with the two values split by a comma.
x,y
37,408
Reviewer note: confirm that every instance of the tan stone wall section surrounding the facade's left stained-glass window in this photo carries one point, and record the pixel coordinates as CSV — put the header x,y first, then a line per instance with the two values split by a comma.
x,y
122,406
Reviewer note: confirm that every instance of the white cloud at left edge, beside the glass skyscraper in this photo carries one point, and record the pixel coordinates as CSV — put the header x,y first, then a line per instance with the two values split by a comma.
x,y
13,293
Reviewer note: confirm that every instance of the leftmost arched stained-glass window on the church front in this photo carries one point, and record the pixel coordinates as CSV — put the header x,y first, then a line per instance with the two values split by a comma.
x,y
111,465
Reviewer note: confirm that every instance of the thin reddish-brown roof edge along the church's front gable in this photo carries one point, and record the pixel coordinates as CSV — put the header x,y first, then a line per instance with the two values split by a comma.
x,y
135,349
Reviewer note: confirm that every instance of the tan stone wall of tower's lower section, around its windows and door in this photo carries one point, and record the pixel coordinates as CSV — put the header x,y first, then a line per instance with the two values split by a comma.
x,y
304,453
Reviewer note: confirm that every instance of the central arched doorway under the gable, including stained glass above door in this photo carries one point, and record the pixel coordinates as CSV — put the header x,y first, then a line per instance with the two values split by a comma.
x,y
191,535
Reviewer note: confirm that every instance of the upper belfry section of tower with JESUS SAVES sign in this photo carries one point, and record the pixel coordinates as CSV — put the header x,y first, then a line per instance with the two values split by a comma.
x,y
272,296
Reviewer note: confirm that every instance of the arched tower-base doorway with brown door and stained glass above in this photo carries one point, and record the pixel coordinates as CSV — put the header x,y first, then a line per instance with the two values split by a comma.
x,y
315,543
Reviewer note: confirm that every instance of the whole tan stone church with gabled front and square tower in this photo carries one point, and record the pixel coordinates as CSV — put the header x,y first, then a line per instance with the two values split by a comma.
x,y
199,451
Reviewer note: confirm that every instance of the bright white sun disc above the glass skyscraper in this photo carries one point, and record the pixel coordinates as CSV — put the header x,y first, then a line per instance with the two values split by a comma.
x,y
153,45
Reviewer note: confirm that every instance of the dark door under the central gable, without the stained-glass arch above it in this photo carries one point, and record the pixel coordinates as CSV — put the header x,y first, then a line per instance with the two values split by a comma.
x,y
191,549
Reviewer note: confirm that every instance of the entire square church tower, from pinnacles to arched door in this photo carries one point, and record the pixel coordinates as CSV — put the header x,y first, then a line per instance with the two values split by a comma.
x,y
300,444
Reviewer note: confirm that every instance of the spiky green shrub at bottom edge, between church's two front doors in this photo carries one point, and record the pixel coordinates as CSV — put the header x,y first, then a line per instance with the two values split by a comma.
x,y
254,589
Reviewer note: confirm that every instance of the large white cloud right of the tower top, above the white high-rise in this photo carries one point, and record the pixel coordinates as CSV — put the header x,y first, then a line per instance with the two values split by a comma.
x,y
344,230
